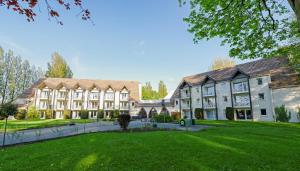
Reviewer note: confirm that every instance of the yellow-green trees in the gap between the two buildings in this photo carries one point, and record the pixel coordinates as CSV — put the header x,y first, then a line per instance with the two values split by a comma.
x,y
149,94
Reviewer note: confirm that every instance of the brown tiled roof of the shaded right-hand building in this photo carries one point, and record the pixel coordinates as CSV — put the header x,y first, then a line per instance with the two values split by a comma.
x,y
273,66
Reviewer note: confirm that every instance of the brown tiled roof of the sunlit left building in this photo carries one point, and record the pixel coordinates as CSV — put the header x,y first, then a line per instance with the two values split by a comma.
x,y
70,83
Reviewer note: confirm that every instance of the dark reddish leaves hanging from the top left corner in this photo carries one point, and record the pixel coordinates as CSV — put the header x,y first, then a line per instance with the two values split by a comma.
x,y
28,8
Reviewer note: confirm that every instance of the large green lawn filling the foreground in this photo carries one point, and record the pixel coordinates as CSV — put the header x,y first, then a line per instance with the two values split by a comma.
x,y
226,146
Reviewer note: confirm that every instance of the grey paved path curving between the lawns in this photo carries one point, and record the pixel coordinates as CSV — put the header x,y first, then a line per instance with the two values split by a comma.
x,y
69,130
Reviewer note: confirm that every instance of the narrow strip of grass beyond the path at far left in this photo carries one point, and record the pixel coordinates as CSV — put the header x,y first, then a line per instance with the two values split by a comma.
x,y
14,125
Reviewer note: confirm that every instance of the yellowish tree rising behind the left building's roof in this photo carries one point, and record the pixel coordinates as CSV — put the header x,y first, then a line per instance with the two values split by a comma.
x,y
58,68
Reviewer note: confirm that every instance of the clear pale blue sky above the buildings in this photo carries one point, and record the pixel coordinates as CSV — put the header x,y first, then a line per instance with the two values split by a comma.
x,y
143,40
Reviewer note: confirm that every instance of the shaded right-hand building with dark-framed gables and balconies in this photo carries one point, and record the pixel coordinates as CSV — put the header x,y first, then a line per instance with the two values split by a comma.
x,y
252,90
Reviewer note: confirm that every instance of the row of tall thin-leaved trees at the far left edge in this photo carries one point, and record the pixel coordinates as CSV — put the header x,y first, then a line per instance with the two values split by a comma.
x,y
16,75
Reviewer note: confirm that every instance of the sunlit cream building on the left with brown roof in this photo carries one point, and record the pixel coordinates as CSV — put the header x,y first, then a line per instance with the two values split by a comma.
x,y
58,95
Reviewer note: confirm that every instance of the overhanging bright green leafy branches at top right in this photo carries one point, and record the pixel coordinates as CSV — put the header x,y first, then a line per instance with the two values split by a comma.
x,y
252,29
